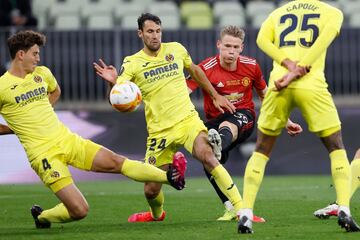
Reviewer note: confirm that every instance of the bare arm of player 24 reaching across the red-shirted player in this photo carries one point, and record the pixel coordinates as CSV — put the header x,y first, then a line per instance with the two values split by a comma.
x,y
220,102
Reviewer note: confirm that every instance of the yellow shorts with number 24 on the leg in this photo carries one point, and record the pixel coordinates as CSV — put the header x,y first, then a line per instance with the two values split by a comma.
x,y
161,146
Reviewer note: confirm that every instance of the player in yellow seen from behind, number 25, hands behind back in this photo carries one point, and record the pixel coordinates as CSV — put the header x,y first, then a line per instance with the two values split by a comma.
x,y
296,36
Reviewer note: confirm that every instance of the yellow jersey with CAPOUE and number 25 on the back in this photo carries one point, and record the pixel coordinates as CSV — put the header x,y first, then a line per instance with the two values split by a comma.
x,y
294,29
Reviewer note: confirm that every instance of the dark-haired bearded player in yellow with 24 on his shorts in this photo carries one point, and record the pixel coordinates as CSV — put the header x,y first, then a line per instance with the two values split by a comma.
x,y
172,120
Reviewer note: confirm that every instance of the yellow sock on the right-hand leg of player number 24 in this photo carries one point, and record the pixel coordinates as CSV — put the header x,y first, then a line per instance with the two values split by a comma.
x,y
226,185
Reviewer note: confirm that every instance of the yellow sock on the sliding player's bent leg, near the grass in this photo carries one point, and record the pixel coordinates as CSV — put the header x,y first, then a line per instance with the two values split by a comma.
x,y
57,214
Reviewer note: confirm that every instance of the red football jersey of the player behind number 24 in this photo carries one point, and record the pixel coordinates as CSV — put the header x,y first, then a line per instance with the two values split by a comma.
x,y
237,86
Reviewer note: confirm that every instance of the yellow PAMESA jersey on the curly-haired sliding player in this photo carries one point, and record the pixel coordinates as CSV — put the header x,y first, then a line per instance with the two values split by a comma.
x,y
25,106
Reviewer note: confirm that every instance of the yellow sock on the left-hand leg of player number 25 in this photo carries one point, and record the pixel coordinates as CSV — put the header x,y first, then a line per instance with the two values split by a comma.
x,y
254,174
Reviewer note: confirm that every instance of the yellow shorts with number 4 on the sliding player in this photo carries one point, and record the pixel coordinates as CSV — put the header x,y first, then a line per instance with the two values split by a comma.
x,y
51,166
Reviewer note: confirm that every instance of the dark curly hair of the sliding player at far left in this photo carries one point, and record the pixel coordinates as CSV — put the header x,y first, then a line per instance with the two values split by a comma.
x,y
24,40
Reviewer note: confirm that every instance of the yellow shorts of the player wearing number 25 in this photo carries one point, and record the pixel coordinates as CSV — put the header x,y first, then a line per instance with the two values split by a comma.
x,y
316,106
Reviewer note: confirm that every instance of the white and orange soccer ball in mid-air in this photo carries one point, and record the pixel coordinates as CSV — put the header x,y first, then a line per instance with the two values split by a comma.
x,y
125,96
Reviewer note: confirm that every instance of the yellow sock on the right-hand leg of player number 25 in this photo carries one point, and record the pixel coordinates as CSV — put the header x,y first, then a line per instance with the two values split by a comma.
x,y
340,171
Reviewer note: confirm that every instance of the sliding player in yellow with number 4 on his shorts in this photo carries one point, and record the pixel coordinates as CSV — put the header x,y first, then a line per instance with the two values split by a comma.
x,y
27,95
